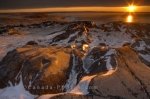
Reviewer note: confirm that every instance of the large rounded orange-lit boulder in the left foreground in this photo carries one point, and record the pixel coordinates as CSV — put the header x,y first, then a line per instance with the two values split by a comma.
x,y
43,70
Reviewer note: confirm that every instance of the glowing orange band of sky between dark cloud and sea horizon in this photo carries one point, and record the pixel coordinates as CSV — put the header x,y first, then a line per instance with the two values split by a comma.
x,y
69,9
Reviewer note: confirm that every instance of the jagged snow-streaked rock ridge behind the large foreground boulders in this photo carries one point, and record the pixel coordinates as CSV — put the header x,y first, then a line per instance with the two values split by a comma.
x,y
84,32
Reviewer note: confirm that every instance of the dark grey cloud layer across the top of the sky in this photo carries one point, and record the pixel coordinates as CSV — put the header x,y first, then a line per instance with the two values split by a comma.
x,y
10,4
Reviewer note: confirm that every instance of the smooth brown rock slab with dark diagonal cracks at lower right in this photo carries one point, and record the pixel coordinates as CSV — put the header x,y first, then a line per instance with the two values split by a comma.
x,y
131,79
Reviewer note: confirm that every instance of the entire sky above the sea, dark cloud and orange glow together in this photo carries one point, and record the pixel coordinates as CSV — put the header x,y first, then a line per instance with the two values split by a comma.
x,y
65,5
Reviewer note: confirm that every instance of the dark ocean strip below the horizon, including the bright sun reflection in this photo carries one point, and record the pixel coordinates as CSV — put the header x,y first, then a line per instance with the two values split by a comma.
x,y
97,17
